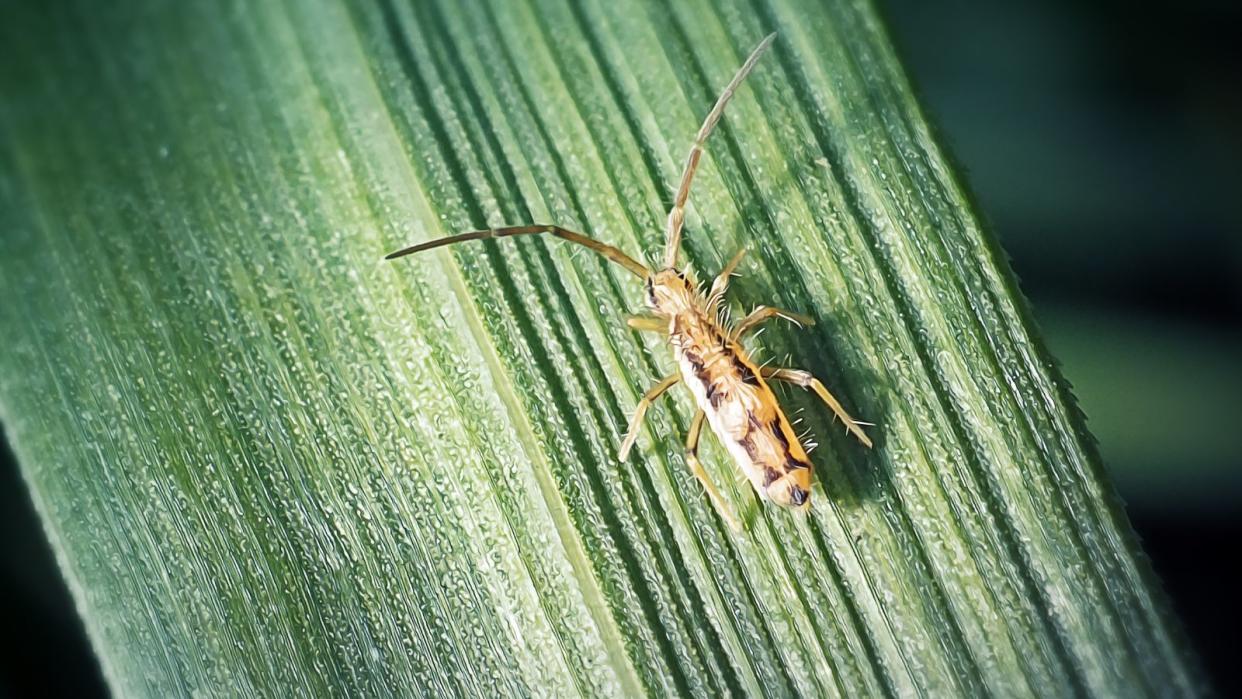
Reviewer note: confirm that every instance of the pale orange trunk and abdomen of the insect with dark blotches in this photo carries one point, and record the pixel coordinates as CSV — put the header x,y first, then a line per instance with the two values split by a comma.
x,y
742,410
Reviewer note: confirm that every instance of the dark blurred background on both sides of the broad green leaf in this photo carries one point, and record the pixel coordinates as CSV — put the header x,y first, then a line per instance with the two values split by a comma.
x,y
1105,142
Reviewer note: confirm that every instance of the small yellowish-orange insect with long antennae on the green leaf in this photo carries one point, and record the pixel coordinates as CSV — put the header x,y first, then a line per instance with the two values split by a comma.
x,y
733,395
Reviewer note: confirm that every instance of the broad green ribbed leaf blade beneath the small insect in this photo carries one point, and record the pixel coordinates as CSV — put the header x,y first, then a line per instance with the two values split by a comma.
x,y
269,460
